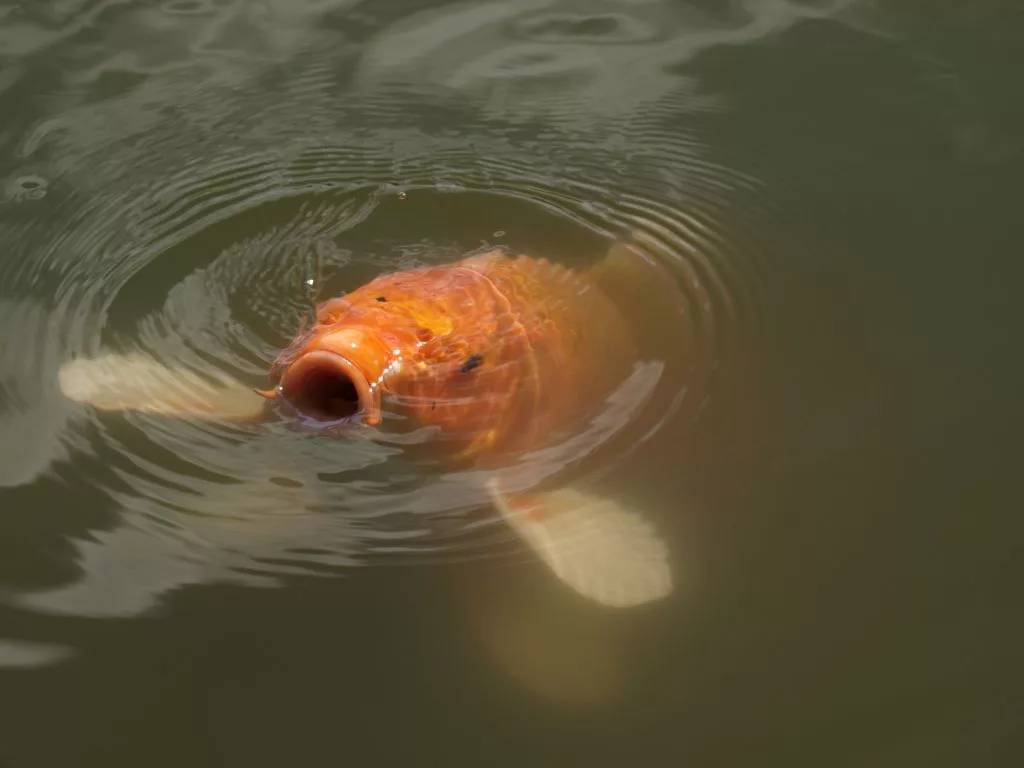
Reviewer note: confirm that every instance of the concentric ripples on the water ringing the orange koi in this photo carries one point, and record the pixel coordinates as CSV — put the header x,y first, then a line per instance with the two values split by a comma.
x,y
205,240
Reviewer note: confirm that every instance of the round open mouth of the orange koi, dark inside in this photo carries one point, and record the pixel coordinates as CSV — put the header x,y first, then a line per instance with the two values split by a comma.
x,y
328,388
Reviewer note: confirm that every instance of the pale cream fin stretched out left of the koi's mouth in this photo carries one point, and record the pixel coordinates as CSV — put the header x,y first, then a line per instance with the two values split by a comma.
x,y
136,382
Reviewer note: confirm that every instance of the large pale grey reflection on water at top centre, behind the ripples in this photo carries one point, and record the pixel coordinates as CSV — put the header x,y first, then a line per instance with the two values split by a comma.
x,y
544,59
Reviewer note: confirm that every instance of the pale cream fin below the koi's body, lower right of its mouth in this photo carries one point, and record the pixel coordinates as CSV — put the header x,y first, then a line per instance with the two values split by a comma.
x,y
604,551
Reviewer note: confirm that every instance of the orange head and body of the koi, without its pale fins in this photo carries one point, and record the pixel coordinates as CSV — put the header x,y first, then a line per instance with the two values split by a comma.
x,y
496,352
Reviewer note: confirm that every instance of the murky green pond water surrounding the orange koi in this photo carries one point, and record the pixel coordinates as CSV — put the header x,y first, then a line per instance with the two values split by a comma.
x,y
833,186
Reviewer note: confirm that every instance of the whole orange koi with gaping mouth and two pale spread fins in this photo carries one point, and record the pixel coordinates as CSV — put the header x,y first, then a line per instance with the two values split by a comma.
x,y
496,353
